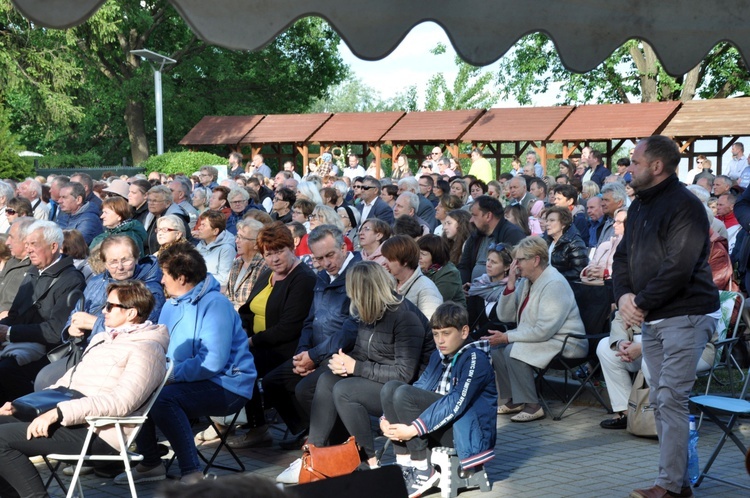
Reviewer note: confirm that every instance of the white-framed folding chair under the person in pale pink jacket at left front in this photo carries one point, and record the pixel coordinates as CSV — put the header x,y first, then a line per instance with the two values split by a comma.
x,y
125,456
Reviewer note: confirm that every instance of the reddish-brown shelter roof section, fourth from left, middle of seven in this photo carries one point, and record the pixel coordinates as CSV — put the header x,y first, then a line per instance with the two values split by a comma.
x,y
435,127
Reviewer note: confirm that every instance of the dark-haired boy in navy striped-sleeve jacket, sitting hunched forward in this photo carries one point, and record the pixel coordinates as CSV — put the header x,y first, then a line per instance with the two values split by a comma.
x,y
453,403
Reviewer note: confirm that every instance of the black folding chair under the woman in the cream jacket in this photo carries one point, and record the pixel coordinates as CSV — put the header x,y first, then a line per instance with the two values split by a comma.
x,y
595,306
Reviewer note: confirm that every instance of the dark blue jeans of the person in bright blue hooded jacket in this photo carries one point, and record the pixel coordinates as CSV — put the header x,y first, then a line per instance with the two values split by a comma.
x,y
176,405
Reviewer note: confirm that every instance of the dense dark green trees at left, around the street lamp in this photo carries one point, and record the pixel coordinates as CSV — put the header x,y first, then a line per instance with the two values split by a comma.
x,y
91,95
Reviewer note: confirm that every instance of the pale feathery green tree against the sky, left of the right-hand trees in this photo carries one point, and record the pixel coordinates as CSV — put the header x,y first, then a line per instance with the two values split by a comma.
x,y
469,89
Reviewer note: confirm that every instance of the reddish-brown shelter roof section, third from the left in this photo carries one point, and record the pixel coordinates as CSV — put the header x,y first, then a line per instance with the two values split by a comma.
x,y
357,127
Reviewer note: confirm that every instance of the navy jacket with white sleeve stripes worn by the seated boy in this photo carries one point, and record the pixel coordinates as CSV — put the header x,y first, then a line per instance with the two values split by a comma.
x,y
470,406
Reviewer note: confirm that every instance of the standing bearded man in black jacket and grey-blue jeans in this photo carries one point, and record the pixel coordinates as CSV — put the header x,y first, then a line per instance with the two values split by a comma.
x,y
663,283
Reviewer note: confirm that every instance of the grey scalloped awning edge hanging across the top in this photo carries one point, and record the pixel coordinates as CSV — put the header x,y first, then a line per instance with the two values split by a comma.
x,y
585,31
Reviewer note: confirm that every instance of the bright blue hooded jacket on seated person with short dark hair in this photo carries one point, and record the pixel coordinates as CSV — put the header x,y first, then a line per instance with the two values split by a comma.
x,y
207,341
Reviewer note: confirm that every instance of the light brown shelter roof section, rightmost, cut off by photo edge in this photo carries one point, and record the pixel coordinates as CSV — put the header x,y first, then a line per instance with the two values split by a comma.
x,y
711,118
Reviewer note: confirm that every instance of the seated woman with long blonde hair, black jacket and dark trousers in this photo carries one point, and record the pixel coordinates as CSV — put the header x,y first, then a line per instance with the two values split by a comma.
x,y
393,342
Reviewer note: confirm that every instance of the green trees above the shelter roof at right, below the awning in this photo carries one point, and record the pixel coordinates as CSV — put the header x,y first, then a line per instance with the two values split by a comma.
x,y
632,72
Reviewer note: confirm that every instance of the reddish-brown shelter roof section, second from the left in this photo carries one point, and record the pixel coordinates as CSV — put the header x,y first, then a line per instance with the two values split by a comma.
x,y
285,128
